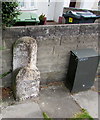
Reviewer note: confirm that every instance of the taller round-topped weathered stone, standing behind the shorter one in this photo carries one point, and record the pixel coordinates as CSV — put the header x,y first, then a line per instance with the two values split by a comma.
x,y
25,50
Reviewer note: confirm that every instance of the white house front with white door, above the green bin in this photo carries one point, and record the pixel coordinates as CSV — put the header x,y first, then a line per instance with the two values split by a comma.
x,y
41,6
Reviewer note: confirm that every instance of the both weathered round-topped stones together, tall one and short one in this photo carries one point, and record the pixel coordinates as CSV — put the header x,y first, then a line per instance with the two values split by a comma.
x,y
28,77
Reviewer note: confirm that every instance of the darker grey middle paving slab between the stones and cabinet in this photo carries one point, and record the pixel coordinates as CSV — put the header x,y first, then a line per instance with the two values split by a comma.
x,y
57,102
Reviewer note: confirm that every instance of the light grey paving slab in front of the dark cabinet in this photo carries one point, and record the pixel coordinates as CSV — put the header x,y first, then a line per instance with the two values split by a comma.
x,y
89,101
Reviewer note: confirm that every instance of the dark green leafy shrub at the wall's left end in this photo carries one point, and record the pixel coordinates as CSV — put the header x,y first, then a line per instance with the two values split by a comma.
x,y
10,11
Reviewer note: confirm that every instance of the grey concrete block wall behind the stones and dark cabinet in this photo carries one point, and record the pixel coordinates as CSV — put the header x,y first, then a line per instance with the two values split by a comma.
x,y
54,45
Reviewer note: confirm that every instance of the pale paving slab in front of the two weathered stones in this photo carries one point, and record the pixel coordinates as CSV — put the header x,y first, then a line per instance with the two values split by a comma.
x,y
26,110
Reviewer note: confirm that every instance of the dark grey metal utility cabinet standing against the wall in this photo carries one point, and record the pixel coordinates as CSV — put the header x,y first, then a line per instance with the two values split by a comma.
x,y
82,69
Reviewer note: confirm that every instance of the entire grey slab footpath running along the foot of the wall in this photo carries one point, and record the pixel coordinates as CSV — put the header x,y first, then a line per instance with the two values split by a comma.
x,y
57,102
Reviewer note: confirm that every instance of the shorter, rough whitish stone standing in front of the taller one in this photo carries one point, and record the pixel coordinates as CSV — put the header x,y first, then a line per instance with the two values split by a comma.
x,y
27,83
